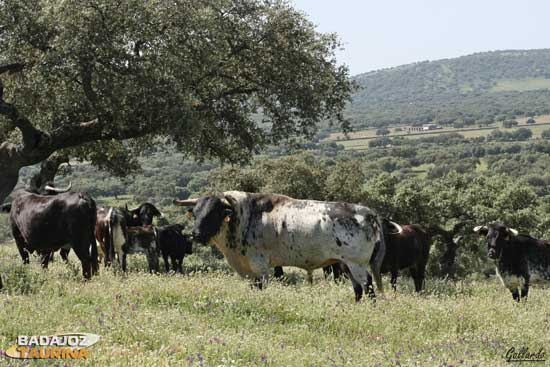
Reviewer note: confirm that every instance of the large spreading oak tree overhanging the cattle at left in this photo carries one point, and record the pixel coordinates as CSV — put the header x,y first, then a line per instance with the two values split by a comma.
x,y
80,76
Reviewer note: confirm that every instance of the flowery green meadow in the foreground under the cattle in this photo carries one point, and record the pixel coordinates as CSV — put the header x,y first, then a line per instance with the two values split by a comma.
x,y
214,318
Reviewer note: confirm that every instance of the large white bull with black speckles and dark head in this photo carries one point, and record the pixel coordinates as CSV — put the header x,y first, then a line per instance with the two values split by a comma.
x,y
257,232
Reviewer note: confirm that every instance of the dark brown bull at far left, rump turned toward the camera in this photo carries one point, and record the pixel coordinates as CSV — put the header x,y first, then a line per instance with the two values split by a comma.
x,y
46,223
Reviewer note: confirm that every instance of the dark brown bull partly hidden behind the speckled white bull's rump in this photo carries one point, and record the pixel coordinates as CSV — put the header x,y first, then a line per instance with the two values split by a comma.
x,y
408,249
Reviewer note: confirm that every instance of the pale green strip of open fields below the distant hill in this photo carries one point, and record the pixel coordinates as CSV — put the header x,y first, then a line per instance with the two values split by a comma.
x,y
359,139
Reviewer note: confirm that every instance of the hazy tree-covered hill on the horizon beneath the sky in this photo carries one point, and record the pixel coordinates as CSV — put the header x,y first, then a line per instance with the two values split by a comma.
x,y
474,88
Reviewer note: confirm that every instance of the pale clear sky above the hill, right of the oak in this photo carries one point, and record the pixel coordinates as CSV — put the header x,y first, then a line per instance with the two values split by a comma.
x,y
378,34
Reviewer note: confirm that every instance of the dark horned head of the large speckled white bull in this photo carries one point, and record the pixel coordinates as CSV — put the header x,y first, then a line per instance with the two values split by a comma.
x,y
210,214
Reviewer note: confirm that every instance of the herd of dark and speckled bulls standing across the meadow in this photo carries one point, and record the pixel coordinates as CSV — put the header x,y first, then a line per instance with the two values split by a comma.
x,y
256,233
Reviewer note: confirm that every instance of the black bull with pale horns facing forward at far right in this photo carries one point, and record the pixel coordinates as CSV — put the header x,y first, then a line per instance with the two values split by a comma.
x,y
519,258
